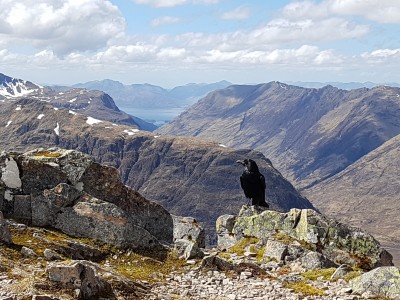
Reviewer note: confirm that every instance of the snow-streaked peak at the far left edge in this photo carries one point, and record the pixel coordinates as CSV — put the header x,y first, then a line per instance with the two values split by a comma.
x,y
13,87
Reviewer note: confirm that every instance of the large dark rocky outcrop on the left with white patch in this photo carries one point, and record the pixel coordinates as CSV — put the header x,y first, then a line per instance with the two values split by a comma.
x,y
67,190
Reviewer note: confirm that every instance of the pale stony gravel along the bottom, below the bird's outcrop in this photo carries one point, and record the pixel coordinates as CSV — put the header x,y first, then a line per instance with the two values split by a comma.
x,y
200,284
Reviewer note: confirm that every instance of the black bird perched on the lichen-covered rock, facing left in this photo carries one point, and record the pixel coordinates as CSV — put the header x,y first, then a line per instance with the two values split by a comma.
x,y
253,182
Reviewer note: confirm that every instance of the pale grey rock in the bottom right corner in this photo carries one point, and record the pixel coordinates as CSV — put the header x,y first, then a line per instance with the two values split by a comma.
x,y
383,281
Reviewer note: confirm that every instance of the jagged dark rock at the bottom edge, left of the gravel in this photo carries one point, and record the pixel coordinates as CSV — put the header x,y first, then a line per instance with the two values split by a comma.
x,y
81,276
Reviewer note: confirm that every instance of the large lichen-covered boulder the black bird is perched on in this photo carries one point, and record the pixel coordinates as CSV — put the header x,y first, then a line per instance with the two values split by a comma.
x,y
337,242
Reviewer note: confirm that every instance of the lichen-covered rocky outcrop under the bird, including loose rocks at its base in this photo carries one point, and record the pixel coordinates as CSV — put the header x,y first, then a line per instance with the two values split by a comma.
x,y
324,242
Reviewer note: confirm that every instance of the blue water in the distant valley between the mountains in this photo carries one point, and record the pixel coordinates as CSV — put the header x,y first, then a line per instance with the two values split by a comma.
x,y
155,116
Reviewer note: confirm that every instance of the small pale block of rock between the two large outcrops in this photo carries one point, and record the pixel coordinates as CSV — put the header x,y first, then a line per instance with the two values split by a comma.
x,y
187,228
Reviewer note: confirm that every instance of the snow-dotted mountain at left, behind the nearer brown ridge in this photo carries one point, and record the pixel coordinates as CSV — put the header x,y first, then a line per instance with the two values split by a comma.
x,y
95,104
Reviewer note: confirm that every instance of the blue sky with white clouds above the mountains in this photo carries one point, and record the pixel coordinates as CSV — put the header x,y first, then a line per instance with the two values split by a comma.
x,y
176,42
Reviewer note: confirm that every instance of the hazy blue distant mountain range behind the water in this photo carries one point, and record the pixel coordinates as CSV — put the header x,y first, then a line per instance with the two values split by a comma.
x,y
151,96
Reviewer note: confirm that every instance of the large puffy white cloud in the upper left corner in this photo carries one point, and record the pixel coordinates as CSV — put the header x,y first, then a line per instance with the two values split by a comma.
x,y
61,25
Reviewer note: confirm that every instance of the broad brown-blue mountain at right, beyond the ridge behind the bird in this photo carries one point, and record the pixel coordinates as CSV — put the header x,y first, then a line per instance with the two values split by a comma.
x,y
310,134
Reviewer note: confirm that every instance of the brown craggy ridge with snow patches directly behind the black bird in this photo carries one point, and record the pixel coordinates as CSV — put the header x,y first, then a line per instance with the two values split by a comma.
x,y
187,176
